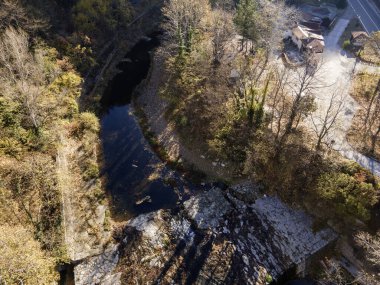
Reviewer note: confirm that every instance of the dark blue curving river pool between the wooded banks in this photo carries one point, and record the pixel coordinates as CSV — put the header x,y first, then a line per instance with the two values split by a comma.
x,y
136,178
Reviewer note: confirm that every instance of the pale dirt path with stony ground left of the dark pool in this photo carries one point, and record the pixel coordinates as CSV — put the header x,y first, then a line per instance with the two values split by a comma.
x,y
83,221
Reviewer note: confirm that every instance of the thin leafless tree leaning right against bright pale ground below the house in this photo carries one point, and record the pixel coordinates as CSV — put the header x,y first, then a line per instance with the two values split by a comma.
x,y
324,122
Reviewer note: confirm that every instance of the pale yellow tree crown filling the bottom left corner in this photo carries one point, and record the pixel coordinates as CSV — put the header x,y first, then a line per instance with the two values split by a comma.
x,y
21,260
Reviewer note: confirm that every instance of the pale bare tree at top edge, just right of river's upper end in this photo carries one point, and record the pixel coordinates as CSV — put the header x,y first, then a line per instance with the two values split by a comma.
x,y
184,18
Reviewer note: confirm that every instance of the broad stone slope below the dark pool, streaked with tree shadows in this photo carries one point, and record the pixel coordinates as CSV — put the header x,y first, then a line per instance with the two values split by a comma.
x,y
218,237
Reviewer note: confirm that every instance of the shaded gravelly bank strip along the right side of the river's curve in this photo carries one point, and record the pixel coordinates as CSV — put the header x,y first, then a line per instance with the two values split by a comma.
x,y
154,108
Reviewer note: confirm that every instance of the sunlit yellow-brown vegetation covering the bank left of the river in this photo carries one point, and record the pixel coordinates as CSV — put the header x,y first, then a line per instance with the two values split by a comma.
x,y
49,187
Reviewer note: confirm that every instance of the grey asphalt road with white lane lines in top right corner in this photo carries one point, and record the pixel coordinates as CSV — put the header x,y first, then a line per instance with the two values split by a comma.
x,y
368,14
